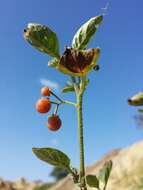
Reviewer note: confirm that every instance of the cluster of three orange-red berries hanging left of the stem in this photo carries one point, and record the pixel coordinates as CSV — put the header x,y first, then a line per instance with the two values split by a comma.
x,y
43,106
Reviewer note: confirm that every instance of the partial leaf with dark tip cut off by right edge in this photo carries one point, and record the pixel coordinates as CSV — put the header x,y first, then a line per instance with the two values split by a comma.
x,y
136,100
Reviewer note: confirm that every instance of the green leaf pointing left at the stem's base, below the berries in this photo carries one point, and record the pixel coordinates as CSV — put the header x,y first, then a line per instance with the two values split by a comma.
x,y
53,156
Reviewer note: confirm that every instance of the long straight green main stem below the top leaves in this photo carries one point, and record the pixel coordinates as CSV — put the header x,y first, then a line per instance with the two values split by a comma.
x,y
81,142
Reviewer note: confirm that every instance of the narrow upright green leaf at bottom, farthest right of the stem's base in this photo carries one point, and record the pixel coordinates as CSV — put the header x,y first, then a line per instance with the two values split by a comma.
x,y
104,174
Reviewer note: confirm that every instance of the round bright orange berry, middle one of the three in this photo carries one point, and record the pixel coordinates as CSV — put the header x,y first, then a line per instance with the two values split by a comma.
x,y
43,105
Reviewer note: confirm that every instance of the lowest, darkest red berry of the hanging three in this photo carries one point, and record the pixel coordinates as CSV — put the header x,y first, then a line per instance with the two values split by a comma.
x,y
54,122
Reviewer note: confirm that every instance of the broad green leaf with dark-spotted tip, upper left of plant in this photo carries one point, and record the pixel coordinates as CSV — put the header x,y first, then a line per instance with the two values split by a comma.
x,y
42,38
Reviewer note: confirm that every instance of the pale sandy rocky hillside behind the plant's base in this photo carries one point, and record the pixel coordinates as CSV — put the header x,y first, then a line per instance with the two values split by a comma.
x,y
127,173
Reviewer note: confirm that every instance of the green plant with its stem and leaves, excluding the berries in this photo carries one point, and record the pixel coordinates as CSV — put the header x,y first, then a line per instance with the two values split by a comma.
x,y
77,62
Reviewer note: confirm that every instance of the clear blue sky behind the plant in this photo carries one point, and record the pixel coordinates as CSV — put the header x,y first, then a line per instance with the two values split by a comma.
x,y
108,119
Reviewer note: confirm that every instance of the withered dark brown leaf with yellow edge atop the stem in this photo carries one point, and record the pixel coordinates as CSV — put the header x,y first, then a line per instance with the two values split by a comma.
x,y
78,62
